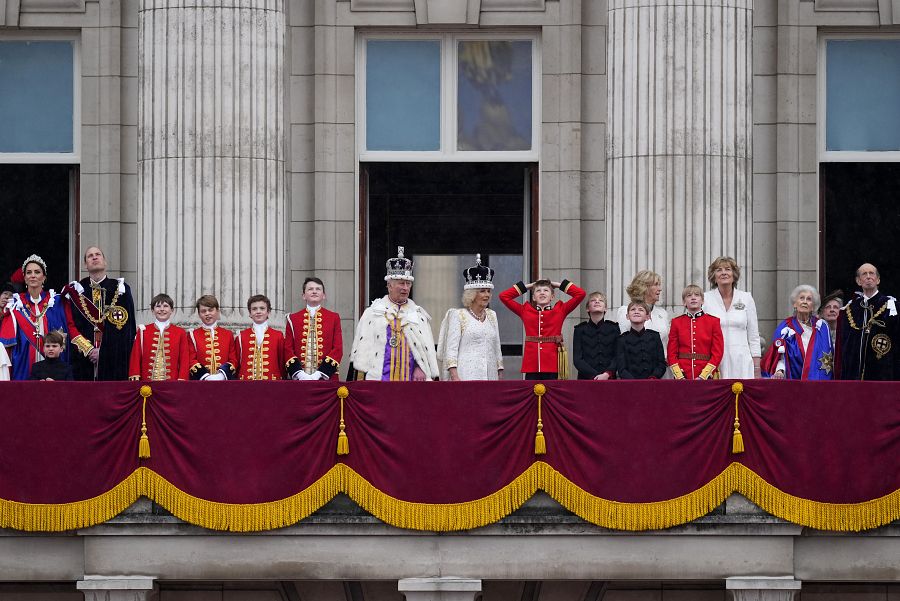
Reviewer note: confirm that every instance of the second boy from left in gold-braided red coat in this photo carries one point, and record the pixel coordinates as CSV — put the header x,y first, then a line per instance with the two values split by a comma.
x,y
216,346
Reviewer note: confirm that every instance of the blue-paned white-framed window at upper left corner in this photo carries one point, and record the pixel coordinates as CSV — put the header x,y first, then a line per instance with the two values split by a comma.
x,y
39,106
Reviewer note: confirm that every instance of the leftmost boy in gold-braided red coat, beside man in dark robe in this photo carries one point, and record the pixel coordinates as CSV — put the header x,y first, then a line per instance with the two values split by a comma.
x,y
161,350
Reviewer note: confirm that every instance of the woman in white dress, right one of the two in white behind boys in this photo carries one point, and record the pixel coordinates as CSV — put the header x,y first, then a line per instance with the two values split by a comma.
x,y
736,311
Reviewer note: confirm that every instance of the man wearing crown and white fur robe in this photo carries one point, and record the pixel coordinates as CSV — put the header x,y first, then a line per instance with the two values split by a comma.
x,y
393,339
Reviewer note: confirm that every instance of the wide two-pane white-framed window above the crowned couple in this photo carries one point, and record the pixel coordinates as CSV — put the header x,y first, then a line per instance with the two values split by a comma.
x,y
449,96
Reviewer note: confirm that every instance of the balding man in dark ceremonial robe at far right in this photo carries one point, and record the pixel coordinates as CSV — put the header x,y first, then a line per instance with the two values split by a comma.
x,y
868,332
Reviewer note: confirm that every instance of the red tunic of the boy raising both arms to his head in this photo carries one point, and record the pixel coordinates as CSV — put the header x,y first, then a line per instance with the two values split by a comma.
x,y
542,356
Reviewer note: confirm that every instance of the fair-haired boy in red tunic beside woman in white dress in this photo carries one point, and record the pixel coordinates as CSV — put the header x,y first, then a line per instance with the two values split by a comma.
x,y
695,343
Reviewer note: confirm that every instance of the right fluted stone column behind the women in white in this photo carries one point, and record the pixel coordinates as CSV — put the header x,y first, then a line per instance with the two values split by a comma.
x,y
679,152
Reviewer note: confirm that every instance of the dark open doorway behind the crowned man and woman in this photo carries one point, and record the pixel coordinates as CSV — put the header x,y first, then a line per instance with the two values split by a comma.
x,y
443,214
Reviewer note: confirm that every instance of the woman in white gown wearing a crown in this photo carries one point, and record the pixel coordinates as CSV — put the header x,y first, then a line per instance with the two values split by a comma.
x,y
469,341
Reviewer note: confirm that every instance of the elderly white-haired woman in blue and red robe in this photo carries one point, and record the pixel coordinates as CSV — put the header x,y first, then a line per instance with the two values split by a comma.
x,y
801,346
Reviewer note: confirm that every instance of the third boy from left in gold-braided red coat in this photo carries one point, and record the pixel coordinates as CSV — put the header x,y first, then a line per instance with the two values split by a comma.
x,y
260,348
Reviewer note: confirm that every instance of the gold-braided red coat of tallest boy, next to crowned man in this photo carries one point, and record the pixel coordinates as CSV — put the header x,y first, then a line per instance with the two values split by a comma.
x,y
323,353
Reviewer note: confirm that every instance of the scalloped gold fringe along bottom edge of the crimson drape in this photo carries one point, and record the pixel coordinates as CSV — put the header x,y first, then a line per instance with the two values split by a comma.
x,y
451,516
